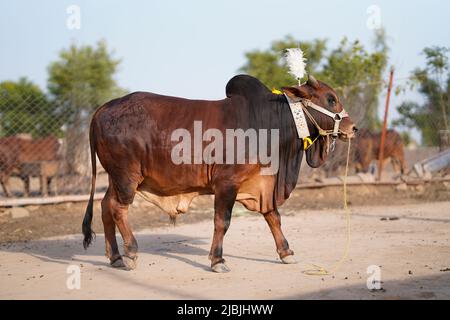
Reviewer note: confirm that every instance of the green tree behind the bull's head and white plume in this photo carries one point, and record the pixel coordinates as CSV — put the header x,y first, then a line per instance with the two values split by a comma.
x,y
354,72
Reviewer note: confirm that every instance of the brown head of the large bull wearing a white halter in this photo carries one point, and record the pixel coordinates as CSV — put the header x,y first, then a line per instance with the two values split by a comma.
x,y
329,116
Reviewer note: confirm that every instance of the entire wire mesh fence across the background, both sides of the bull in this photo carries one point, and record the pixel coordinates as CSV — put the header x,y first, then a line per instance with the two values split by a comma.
x,y
44,149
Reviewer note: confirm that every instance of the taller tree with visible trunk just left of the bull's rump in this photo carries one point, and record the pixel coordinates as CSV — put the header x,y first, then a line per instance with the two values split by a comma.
x,y
80,81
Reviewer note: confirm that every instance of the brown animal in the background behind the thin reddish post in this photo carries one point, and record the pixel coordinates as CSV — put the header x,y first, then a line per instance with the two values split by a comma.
x,y
367,148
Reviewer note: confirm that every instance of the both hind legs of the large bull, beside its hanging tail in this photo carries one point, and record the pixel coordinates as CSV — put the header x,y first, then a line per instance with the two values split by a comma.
x,y
117,207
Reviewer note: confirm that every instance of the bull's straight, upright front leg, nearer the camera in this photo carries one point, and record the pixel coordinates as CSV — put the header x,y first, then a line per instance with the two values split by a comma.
x,y
224,199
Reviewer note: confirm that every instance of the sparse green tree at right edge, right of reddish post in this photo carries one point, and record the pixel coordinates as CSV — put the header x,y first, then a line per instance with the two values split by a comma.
x,y
432,116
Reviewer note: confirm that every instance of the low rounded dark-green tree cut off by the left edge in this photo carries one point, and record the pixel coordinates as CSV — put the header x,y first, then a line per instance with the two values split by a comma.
x,y
24,108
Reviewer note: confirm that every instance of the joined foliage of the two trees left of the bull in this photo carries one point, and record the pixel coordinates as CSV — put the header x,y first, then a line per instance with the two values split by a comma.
x,y
79,81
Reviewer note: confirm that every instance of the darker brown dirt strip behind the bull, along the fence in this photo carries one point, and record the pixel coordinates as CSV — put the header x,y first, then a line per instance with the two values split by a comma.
x,y
66,218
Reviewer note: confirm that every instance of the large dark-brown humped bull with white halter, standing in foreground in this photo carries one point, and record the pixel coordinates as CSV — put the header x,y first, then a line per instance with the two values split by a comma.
x,y
132,138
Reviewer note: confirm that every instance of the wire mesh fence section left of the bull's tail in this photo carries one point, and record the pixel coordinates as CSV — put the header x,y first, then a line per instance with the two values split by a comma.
x,y
43,151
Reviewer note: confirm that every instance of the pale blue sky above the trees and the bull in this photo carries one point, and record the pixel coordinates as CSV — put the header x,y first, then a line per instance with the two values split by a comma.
x,y
192,48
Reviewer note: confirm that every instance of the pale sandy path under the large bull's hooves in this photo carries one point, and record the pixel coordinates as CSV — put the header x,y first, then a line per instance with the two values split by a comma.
x,y
173,262
